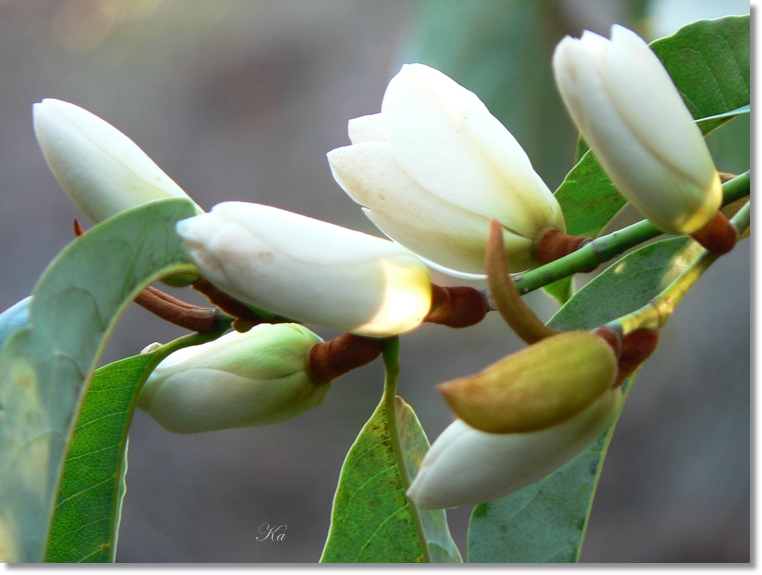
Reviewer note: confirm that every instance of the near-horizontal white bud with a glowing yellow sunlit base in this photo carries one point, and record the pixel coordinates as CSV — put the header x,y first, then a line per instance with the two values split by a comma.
x,y
309,270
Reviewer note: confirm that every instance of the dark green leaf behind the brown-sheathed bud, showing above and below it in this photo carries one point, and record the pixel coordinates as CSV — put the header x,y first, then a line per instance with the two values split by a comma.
x,y
546,521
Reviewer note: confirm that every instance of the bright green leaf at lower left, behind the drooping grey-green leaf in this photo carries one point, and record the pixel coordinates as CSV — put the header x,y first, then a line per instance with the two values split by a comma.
x,y
89,502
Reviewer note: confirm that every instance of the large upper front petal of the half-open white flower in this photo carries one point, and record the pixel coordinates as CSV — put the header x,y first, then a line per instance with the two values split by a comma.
x,y
446,139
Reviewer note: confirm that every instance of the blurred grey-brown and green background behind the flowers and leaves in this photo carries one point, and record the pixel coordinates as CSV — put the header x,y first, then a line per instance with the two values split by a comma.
x,y
240,100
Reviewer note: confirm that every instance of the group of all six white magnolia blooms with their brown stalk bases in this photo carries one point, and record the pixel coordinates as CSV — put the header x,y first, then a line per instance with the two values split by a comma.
x,y
431,170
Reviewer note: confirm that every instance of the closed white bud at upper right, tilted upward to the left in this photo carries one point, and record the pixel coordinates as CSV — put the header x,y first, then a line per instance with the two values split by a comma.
x,y
623,101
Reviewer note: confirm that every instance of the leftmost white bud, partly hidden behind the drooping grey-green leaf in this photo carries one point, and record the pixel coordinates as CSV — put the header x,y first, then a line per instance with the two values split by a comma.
x,y
101,169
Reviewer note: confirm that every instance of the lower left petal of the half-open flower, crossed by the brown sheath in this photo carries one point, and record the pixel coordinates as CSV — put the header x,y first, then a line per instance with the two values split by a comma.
x,y
433,228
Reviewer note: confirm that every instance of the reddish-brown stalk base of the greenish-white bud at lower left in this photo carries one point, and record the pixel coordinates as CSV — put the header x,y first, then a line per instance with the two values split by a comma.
x,y
333,358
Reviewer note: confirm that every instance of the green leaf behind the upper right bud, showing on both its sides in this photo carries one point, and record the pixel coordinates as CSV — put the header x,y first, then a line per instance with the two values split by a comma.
x,y
709,62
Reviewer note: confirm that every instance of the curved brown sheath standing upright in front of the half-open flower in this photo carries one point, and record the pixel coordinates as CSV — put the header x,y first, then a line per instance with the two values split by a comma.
x,y
506,296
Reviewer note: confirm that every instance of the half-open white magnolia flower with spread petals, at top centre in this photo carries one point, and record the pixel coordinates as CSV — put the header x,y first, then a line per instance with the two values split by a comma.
x,y
435,166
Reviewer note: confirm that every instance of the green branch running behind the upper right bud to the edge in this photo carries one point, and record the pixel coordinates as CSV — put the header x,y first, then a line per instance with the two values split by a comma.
x,y
607,247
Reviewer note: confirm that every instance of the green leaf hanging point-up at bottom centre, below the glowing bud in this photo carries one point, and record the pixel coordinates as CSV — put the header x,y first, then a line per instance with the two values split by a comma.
x,y
373,521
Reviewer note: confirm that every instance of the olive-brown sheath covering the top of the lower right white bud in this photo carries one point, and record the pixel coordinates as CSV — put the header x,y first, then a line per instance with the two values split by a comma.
x,y
537,387
